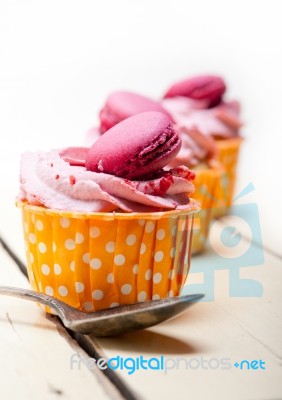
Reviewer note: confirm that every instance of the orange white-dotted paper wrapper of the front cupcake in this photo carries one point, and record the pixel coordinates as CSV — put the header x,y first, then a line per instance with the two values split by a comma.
x,y
101,260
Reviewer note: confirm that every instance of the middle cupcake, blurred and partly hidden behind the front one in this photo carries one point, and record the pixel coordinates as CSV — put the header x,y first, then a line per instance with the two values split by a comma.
x,y
198,152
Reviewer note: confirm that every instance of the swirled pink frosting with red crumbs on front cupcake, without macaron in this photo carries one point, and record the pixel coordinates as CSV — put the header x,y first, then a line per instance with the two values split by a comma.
x,y
59,180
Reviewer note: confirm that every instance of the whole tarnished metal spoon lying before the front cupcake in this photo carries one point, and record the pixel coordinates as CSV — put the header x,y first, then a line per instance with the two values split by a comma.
x,y
111,321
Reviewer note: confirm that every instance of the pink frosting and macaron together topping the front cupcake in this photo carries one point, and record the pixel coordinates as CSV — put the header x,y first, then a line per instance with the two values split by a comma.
x,y
100,178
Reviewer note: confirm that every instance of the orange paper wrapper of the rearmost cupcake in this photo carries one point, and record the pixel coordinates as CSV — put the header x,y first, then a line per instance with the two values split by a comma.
x,y
228,154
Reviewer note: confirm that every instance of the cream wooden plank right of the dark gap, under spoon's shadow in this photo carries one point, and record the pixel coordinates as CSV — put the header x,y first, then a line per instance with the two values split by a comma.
x,y
213,334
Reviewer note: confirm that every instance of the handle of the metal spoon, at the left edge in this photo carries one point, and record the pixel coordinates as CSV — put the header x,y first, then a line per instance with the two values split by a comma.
x,y
56,305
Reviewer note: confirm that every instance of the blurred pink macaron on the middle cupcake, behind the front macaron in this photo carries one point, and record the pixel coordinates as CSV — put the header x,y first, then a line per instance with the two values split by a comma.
x,y
121,105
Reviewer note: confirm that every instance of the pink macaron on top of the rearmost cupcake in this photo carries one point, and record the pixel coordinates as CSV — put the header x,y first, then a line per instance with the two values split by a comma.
x,y
204,87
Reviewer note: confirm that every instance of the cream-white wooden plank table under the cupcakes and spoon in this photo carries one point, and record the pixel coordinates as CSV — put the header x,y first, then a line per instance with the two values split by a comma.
x,y
239,319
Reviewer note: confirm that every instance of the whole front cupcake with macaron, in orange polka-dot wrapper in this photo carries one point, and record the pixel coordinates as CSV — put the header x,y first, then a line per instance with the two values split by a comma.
x,y
108,225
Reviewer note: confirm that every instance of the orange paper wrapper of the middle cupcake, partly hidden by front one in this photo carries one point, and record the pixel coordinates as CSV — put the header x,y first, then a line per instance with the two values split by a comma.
x,y
206,183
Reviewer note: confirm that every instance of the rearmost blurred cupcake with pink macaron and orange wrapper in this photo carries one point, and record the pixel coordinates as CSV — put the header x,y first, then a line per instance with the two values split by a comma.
x,y
198,104
